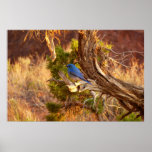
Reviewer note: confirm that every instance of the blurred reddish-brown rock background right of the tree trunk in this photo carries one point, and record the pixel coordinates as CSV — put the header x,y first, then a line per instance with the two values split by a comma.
x,y
126,40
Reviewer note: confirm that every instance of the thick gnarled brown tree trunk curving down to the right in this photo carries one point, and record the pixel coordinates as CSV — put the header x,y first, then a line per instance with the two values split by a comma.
x,y
131,97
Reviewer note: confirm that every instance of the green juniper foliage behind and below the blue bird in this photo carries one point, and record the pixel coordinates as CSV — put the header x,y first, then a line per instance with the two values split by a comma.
x,y
60,90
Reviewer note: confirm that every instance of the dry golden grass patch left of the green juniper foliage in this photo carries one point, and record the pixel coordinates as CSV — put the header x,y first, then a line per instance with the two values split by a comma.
x,y
27,90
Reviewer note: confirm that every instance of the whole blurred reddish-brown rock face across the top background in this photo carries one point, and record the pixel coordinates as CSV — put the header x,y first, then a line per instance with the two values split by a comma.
x,y
122,40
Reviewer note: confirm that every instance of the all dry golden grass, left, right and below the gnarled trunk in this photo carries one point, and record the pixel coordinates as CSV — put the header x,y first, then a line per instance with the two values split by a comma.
x,y
28,91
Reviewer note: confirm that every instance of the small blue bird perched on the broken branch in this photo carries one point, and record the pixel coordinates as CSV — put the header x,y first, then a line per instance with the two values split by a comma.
x,y
75,73
